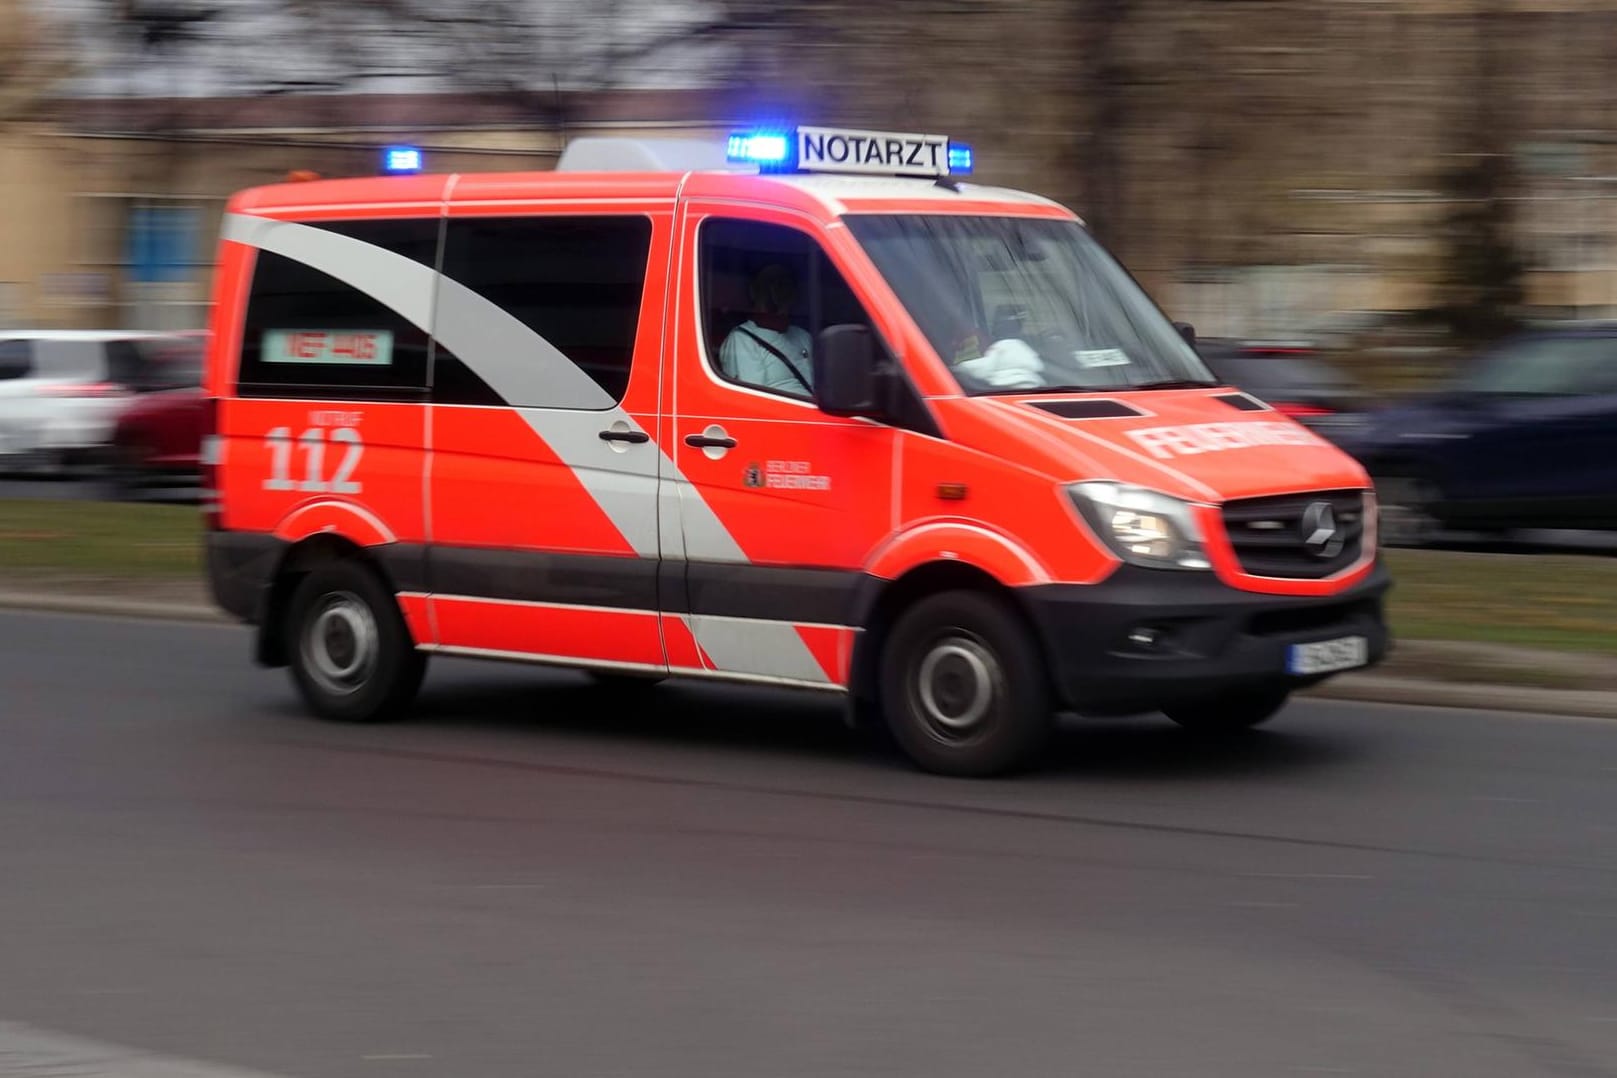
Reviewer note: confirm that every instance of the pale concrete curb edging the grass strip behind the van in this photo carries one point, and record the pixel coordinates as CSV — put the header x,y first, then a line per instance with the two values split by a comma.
x,y
1361,688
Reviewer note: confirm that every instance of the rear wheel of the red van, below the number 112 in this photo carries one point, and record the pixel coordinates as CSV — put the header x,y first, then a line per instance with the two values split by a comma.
x,y
350,652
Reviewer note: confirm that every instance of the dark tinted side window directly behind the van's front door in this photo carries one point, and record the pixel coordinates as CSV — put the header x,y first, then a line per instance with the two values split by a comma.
x,y
576,282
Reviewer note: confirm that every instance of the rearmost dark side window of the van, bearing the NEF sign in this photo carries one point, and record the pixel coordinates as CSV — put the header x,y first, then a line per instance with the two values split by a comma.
x,y
310,334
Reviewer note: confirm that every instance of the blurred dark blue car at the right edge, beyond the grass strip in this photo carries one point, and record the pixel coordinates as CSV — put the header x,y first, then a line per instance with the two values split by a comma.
x,y
1524,437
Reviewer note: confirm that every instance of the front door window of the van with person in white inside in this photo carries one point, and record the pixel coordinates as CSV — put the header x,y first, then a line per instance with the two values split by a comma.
x,y
767,292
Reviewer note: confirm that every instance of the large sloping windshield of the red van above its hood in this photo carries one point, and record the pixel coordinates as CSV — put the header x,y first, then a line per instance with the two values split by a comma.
x,y
1018,306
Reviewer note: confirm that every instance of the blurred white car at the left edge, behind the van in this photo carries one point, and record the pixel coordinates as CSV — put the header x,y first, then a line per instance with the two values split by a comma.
x,y
62,390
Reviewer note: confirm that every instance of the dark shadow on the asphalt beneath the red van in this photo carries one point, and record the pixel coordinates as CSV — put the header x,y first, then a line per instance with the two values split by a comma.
x,y
811,728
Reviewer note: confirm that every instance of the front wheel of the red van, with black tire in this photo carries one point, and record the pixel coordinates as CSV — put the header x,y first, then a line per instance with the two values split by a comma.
x,y
963,686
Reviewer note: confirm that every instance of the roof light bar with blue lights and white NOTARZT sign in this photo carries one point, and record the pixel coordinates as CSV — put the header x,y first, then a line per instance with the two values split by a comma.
x,y
843,151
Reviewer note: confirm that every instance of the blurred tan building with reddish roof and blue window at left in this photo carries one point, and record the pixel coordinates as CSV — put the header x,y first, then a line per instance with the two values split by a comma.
x,y
111,206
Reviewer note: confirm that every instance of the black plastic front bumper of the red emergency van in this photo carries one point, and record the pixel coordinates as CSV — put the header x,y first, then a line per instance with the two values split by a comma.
x,y
1212,638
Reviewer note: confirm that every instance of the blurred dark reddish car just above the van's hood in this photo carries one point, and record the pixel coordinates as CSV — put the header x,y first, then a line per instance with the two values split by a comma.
x,y
1291,379
